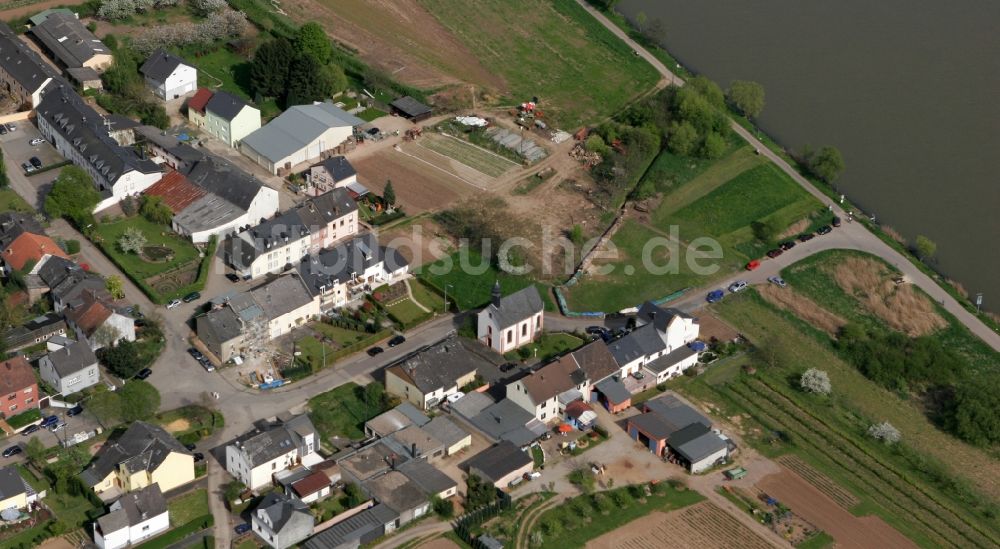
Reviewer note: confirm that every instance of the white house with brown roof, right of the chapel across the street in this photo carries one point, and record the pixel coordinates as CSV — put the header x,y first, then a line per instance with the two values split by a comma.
x,y
546,391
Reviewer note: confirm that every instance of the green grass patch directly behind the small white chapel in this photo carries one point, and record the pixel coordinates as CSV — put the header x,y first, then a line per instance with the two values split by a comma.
x,y
471,290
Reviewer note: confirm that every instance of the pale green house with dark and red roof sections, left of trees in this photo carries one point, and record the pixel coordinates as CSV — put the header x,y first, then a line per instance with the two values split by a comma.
x,y
223,115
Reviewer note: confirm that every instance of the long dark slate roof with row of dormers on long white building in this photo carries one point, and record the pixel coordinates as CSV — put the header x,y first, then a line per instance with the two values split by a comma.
x,y
81,126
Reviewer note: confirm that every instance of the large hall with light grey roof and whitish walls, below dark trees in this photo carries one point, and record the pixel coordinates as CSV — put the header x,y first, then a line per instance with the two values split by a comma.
x,y
300,134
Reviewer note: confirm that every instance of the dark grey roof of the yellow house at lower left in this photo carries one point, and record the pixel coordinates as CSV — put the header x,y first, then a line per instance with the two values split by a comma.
x,y
143,447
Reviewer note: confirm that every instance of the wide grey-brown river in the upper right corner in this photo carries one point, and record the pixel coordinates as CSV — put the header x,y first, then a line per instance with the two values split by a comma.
x,y
909,91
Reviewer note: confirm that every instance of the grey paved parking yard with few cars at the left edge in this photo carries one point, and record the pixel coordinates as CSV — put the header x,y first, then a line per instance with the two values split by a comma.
x,y
18,150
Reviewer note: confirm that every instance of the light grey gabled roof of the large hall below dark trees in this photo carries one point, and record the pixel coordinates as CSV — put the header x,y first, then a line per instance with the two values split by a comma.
x,y
297,127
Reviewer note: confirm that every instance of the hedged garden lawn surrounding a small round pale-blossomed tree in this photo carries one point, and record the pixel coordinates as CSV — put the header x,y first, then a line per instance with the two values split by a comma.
x,y
156,235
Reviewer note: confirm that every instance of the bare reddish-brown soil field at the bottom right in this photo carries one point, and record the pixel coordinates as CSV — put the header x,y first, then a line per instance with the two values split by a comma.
x,y
848,530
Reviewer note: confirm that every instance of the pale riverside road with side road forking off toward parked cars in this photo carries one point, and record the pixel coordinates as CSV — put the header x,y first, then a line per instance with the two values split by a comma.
x,y
854,236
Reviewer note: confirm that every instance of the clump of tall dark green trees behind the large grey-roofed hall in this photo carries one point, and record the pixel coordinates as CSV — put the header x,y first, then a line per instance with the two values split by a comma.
x,y
298,71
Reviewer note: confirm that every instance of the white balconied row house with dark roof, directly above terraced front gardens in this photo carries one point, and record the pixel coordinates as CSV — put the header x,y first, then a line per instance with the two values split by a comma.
x,y
349,270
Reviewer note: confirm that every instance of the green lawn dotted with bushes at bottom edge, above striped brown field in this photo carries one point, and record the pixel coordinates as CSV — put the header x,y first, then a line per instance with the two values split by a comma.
x,y
583,518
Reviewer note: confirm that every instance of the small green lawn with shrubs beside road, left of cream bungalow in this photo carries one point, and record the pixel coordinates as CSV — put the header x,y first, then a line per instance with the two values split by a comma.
x,y
342,412
